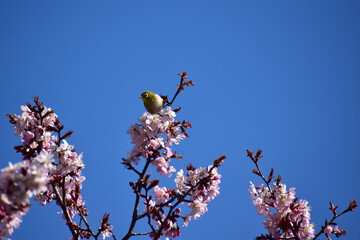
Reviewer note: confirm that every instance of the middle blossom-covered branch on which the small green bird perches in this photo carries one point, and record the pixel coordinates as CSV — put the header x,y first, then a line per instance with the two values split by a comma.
x,y
153,138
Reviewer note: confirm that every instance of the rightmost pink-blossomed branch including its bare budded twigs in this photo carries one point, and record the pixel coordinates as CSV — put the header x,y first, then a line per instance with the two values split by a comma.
x,y
286,216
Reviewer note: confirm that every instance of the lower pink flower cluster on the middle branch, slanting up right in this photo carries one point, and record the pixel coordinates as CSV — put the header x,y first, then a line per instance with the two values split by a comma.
x,y
197,188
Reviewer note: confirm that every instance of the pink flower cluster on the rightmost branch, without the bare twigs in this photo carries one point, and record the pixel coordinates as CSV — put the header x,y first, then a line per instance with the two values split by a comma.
x,y
284,215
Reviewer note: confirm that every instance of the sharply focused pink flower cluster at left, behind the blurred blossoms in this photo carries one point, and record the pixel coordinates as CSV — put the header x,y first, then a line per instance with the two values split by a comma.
x,y
36,126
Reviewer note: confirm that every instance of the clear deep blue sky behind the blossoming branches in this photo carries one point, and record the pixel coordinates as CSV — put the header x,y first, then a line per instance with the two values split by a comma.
x,y
283,76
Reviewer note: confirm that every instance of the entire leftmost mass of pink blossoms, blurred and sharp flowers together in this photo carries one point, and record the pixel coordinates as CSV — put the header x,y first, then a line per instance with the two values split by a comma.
x,y
51,168
